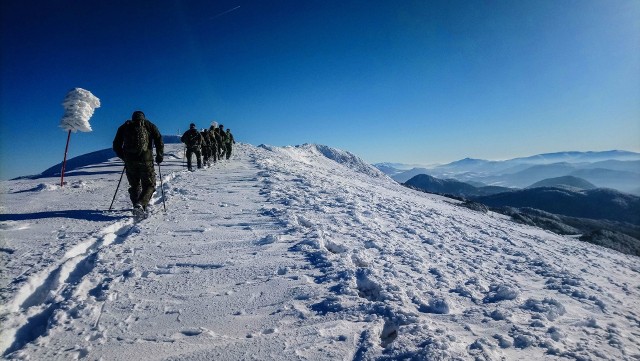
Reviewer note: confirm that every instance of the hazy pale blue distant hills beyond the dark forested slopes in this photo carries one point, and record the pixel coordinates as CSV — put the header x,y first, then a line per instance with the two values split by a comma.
x,y
615,169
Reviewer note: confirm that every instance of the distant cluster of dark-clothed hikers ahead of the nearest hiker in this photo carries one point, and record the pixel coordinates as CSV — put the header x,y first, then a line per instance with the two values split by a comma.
x,y
208,145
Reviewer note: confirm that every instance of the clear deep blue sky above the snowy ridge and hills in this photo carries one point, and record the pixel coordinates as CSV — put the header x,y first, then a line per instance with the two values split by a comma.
x,y
401,81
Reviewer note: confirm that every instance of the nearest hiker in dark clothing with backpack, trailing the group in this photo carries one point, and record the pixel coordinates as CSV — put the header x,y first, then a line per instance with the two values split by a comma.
x,y
133,144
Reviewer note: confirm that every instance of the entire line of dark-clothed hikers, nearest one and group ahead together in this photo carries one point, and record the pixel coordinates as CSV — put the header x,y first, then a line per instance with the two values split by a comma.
x,y
134,143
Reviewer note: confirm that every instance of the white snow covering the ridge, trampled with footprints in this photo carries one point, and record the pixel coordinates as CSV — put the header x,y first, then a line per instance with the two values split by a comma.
x,y
301,252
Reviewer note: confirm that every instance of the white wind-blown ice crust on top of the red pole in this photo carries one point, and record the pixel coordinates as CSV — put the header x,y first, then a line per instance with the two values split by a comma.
x,y
79,105
